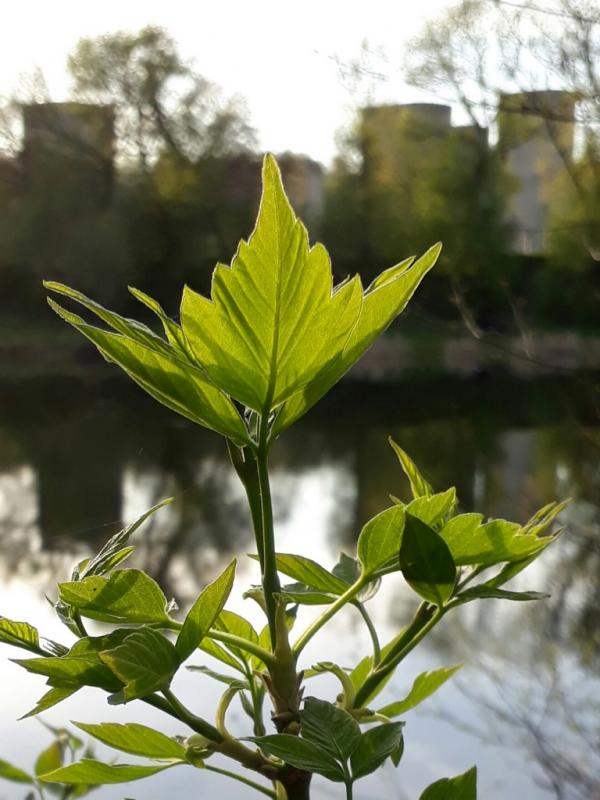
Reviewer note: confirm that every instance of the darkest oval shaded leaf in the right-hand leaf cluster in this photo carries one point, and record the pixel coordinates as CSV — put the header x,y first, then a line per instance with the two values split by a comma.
x,y
426,562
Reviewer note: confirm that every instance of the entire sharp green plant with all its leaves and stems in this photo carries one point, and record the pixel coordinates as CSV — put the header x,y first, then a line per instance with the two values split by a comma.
x,y
275,336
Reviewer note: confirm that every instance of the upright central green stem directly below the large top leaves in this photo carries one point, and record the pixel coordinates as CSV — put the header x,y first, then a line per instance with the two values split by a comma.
x,y
270,577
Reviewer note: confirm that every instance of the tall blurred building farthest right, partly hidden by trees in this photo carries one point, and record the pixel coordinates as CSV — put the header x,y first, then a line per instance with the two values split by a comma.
x,y
535,135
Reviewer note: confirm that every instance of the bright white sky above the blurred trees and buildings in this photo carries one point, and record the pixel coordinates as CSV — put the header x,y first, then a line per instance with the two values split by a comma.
x,y
279,55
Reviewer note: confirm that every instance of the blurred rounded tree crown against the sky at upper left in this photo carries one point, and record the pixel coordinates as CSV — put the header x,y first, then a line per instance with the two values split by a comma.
x,y
161,103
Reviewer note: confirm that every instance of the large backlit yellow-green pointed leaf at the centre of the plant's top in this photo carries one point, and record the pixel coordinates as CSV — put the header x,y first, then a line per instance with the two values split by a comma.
x,y
273,320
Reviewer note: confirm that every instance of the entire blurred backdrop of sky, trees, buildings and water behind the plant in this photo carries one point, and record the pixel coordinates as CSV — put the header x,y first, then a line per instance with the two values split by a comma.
x,y
131,138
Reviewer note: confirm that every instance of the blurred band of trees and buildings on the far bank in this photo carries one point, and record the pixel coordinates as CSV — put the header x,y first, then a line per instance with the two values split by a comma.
x,y
149,176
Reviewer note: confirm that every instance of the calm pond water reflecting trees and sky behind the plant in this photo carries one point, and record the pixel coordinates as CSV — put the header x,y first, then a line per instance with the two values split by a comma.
x,y
79,457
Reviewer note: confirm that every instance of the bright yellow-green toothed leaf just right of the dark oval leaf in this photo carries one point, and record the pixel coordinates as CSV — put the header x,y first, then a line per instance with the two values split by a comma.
x,y
493,542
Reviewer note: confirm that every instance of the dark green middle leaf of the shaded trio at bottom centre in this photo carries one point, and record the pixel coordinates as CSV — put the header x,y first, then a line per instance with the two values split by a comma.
x,y
330,728
